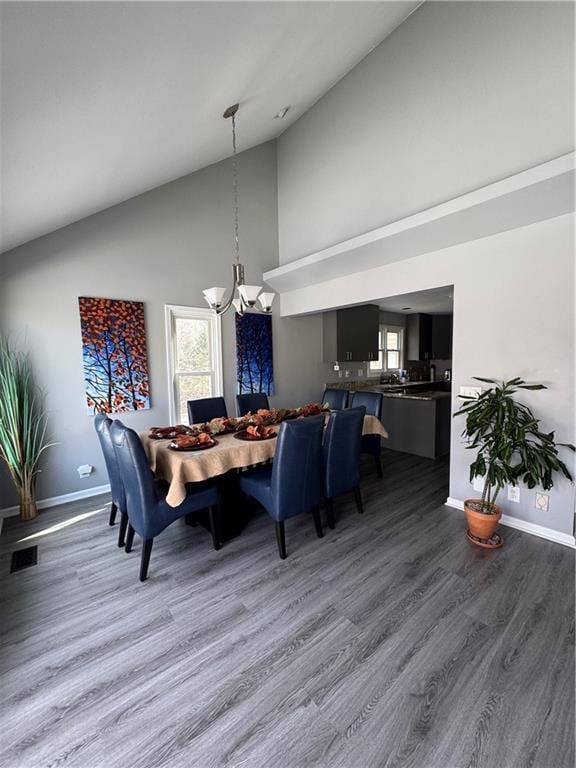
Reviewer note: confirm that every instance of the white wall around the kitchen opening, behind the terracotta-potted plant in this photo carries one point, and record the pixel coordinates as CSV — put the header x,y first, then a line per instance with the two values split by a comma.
x,y
513,316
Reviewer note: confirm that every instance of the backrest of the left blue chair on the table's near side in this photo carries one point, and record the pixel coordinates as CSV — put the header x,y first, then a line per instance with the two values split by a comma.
x,y
296,484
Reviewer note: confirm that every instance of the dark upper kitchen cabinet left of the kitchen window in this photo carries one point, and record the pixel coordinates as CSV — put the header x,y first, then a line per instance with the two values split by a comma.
x,y
351,334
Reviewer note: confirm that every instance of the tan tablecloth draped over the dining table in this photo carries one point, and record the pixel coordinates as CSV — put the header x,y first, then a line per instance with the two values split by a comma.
x,y
230,453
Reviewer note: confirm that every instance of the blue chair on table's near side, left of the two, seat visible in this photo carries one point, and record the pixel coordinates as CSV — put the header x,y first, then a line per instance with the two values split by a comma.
x,y
293,484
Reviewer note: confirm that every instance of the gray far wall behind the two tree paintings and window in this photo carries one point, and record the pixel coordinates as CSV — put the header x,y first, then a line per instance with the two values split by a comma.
x,y
162,247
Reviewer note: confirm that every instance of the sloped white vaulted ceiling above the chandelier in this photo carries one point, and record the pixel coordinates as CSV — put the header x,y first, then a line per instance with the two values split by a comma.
x,y
104,101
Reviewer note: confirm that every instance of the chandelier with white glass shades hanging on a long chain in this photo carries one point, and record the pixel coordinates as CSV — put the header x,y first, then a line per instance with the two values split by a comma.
x,y
243,297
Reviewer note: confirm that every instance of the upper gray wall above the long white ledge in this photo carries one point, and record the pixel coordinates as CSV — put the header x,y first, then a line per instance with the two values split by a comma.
x,y
460,95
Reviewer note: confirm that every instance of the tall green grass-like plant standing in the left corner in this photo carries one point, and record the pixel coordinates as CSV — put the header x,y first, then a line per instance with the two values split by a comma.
x,y
22,426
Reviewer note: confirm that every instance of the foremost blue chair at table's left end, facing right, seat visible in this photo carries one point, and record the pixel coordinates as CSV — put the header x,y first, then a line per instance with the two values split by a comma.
x,y
148,511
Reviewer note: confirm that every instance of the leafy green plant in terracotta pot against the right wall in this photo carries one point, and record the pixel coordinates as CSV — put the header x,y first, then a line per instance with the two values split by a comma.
x,y
510,447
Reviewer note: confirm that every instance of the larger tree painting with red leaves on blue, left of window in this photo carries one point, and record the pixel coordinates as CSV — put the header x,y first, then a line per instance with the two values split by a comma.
x,y
114,354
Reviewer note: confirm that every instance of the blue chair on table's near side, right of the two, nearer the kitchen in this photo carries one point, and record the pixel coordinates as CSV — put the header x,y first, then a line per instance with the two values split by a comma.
x,y
341,458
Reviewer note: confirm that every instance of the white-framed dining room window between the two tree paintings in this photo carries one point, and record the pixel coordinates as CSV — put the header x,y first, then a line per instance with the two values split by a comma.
x,y
194,349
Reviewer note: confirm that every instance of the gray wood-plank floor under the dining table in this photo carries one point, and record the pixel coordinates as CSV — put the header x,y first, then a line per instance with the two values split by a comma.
x,y
390,642
